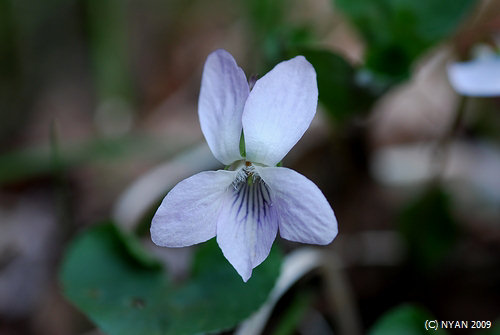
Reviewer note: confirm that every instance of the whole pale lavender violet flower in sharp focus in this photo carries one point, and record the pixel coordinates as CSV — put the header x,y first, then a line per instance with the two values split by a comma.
x,y
246,204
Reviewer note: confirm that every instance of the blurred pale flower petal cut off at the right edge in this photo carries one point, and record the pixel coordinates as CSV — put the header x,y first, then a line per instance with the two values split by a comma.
x,y
480,78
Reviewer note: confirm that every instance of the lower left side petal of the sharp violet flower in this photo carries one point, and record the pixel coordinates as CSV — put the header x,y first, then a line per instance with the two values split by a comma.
x,y
188,214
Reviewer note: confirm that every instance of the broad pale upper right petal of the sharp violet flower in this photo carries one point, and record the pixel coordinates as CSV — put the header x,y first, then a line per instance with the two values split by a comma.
x,y
279,109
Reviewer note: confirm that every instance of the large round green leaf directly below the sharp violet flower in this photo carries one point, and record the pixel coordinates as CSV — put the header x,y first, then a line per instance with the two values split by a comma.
x,y
123,295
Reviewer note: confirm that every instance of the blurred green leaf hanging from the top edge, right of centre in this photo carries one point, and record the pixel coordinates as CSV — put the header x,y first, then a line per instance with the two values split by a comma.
x,y
398,31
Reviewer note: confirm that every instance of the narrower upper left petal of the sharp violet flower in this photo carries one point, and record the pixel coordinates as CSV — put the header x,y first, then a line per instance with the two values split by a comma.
x,y
224,90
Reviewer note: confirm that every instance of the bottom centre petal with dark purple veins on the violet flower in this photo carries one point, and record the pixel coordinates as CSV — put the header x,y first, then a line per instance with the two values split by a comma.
x,y
247,227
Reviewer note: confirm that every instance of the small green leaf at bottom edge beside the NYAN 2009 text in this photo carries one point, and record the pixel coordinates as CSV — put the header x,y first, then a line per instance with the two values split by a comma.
x,y
405,319
